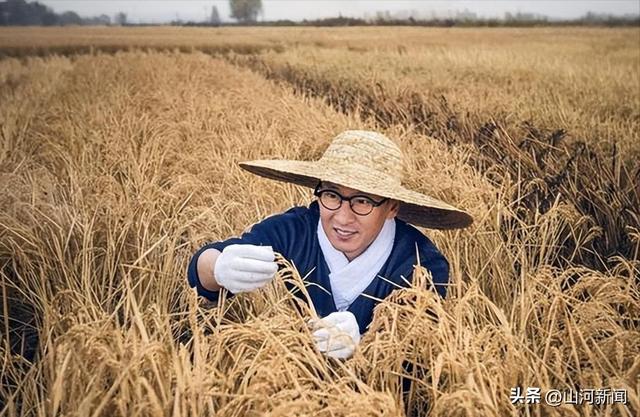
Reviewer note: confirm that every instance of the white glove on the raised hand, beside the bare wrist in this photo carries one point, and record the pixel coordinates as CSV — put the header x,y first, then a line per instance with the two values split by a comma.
x,y
244,268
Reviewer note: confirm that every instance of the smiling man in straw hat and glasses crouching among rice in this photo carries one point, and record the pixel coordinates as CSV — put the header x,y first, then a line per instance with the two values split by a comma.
x,y
352,242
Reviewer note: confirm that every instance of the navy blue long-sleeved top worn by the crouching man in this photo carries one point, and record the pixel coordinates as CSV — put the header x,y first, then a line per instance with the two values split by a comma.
x,y
294,235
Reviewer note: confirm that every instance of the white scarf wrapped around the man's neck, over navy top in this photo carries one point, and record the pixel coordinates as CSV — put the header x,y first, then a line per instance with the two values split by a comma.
x,y
350,279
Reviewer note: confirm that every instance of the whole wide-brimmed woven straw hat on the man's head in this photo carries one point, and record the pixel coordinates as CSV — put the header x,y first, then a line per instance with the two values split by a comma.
x,y
369,162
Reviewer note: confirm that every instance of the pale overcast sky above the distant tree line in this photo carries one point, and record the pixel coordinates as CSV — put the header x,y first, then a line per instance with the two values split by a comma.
x,y
164,10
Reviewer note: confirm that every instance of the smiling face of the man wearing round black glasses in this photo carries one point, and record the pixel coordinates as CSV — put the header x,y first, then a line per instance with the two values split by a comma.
x,y
349,232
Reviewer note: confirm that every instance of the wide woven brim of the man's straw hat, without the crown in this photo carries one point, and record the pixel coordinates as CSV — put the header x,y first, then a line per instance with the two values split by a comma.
x,y
415,208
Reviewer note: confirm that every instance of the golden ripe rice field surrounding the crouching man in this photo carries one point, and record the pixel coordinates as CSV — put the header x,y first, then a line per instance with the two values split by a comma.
x,y
118,159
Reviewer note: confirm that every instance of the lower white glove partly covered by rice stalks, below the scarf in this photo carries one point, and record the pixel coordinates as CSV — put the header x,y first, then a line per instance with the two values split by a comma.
x,y
337,334
